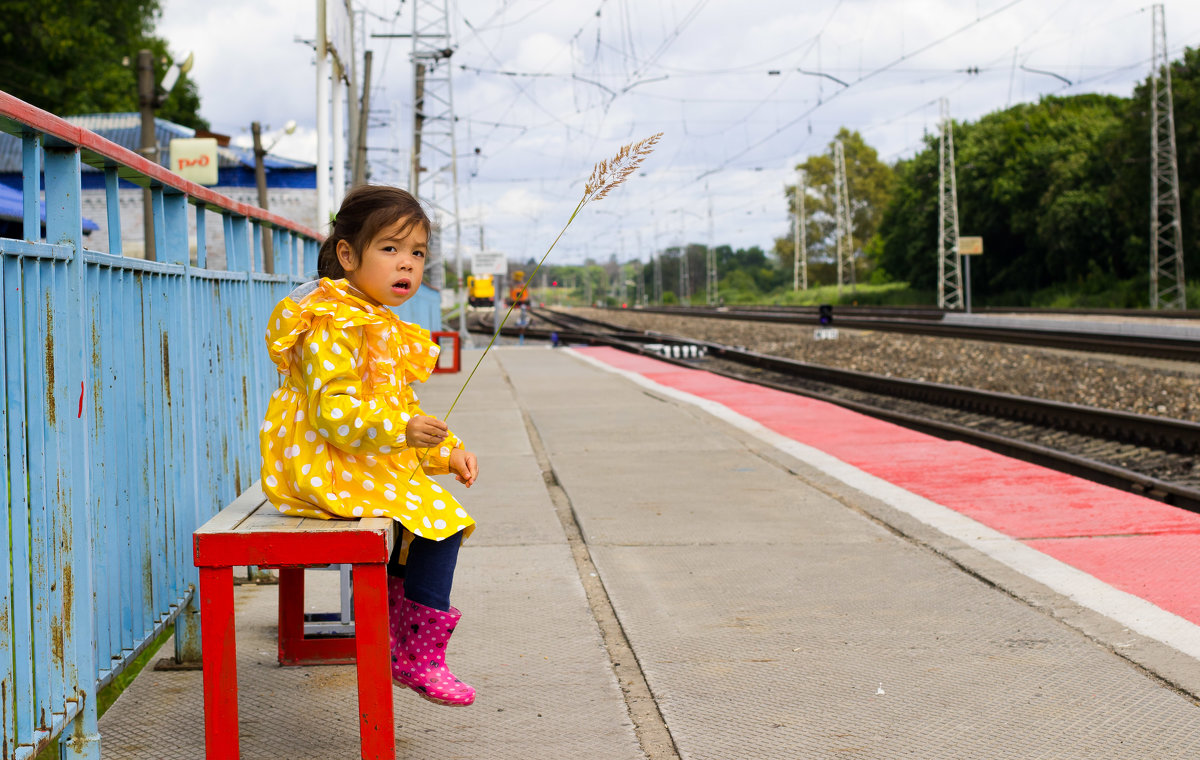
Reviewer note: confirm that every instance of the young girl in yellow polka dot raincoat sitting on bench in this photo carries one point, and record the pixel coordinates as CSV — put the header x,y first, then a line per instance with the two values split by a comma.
x,y
345,438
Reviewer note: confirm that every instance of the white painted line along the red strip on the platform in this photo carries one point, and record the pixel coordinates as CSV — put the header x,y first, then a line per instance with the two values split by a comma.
x,y
1131,612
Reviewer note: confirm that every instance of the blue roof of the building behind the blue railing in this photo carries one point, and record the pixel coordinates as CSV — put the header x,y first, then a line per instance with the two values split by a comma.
x,y
125,130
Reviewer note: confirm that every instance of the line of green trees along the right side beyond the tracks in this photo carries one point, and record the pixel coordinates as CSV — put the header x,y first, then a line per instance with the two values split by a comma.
x,y
1059,190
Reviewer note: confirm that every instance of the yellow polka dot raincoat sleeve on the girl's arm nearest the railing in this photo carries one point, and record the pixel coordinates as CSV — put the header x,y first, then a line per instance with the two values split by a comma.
x,y
333,372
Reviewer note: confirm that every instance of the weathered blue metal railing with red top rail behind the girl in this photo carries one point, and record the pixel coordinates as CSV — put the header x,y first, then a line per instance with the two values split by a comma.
x,y
133,394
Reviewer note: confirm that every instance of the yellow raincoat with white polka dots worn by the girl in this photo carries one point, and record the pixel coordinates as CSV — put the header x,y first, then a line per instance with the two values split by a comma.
x,y
333,441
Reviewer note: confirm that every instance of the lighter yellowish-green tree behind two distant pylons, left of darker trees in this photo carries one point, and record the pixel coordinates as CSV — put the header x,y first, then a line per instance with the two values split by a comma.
x,y
871,184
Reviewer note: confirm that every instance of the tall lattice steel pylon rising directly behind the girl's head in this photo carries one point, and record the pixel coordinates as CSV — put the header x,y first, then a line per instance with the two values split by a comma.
x,y
434,176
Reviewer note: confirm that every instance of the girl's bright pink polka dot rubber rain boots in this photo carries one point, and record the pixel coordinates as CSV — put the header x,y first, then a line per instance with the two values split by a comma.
x,y
419,661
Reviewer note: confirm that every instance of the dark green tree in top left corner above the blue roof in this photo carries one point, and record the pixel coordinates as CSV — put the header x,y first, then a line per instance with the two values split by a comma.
x,y
69,57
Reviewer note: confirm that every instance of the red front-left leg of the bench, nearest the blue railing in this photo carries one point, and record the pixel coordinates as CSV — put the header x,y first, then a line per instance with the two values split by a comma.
x,y
220,665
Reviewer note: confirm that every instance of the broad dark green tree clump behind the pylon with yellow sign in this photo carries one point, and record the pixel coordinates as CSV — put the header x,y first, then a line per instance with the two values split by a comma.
x,y
1034,181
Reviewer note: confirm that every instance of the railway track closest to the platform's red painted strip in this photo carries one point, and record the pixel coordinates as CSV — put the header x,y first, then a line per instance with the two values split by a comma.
x,y
1156,457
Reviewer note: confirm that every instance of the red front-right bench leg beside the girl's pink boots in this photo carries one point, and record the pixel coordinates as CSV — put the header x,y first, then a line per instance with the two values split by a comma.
x,y
376,721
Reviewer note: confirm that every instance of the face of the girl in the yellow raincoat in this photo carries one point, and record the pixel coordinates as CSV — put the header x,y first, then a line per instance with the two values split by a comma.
x,y
391,270
